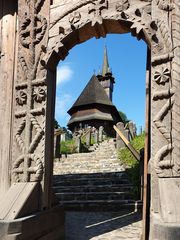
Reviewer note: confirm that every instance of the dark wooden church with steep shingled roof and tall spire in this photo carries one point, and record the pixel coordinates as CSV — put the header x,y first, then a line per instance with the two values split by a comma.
x,y
94,106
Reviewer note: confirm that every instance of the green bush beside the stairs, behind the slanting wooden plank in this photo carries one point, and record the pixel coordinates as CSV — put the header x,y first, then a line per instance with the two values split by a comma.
x,y
131,164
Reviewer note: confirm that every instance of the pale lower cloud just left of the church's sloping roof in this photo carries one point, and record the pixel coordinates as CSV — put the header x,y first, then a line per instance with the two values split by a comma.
x,y
63,104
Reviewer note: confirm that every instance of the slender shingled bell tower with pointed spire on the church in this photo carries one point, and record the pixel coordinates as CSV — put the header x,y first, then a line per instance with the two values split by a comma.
x,y
105,78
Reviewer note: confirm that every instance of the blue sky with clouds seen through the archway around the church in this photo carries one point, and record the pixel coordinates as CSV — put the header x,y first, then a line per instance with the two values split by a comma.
x,y
127,59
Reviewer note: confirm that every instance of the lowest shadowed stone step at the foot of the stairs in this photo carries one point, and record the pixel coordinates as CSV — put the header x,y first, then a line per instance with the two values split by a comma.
x,y
102,205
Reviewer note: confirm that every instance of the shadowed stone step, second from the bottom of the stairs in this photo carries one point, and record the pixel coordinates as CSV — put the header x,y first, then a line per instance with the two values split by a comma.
x,y
85,196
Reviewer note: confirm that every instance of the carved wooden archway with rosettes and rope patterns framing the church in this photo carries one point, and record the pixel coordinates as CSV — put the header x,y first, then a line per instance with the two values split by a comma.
x,y
47,31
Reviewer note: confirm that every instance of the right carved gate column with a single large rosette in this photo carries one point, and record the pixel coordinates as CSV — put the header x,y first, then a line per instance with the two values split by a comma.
x,y
165,165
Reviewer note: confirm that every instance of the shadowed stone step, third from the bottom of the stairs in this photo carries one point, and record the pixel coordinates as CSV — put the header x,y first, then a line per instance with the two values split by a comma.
x,y
97,188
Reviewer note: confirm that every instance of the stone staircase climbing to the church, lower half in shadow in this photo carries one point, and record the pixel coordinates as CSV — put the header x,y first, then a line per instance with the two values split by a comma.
x,y
94,181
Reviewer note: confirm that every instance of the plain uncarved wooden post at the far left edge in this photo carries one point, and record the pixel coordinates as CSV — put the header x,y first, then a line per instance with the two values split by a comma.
x,y
8,22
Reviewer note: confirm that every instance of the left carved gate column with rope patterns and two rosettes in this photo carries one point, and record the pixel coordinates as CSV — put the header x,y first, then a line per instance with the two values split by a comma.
x,y
29,161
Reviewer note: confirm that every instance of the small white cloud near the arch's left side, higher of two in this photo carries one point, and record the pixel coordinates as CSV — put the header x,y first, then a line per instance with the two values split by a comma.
x,y
64,74
